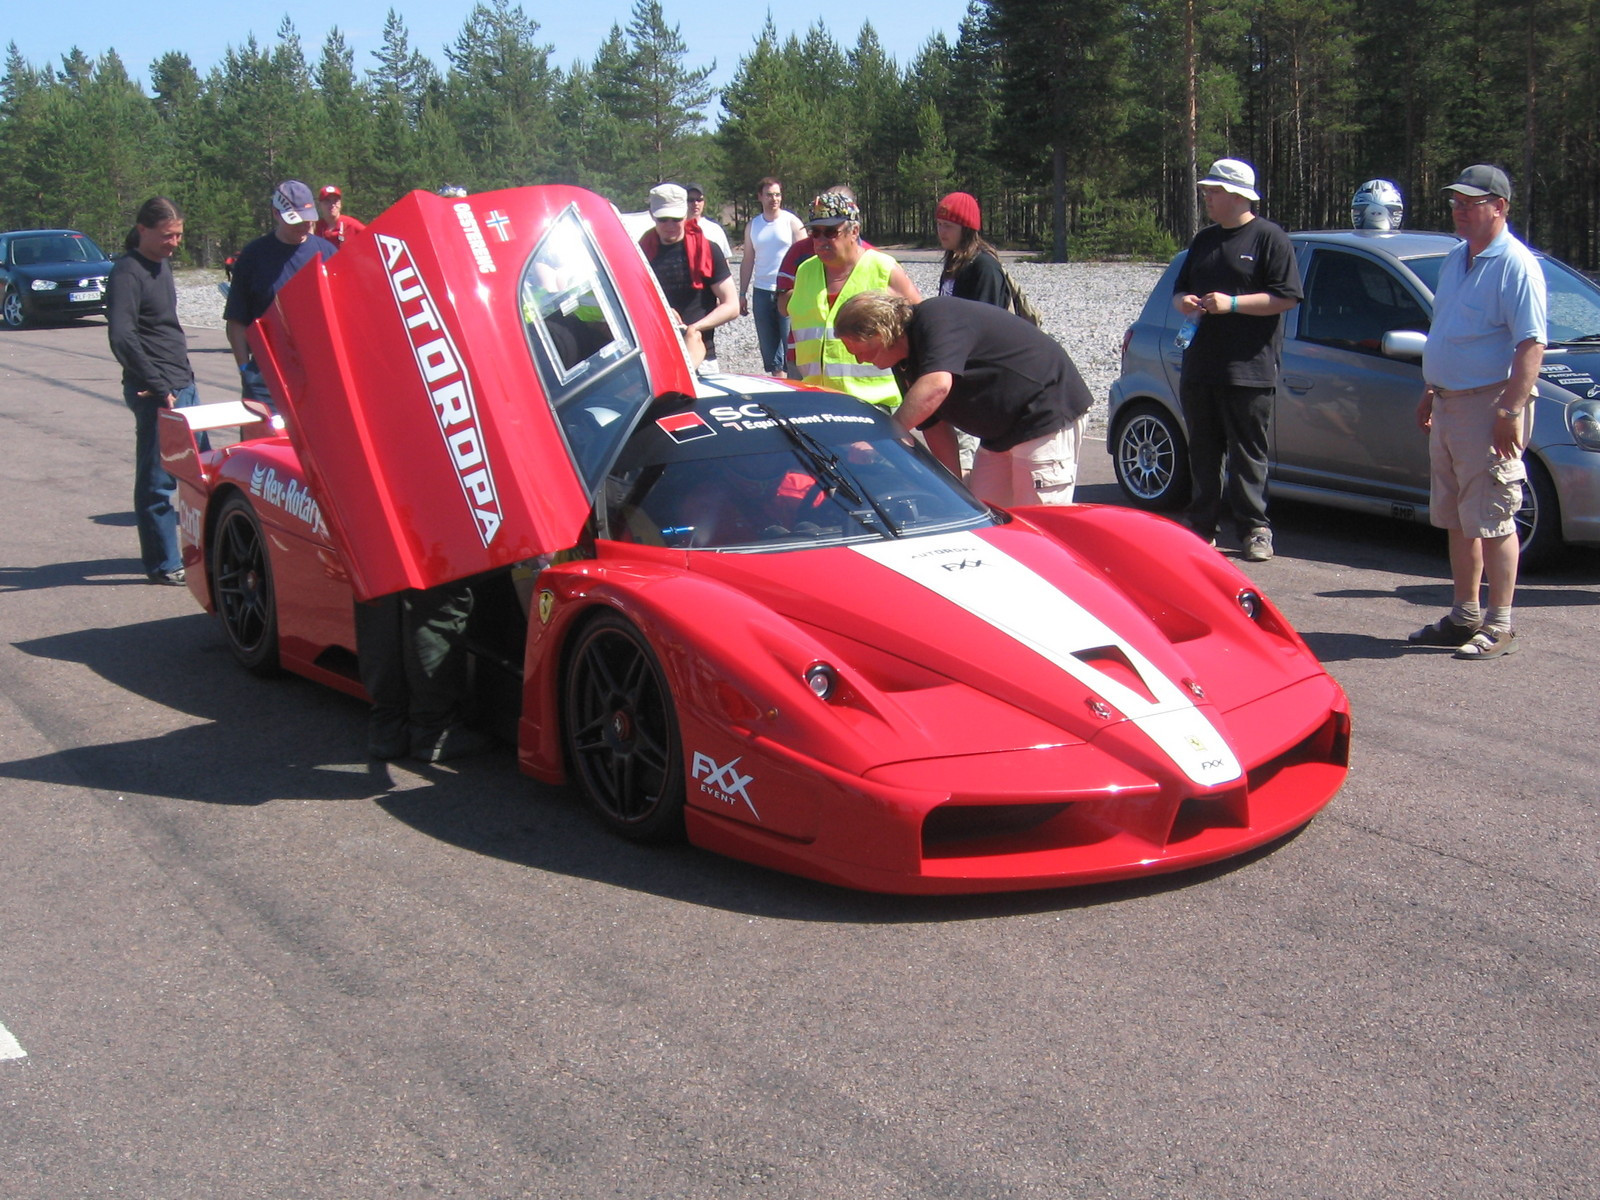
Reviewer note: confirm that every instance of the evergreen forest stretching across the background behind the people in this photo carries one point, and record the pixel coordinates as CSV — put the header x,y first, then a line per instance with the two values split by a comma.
x,y
1081,126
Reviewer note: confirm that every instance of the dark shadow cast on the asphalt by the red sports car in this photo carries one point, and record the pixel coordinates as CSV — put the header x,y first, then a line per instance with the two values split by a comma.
x,y
258,742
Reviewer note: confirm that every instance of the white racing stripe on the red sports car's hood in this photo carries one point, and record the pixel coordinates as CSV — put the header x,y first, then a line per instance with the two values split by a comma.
x,y
1010,598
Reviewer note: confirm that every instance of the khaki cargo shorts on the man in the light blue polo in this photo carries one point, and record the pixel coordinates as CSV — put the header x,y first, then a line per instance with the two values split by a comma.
x,y
1471,489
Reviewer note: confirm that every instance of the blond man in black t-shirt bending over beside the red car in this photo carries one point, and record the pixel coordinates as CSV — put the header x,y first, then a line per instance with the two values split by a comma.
x,y
985,372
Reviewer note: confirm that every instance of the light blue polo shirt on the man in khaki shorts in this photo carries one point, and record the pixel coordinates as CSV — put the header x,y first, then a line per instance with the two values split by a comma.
x,y
1482,314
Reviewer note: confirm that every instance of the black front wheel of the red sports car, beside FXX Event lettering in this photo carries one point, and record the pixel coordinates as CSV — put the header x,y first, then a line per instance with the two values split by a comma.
x,y
622,732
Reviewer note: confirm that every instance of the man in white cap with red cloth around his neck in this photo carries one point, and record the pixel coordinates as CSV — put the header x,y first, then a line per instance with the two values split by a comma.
x,y
694,274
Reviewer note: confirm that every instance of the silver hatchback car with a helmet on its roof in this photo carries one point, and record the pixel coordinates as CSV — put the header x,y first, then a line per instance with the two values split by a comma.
x,y
1345,420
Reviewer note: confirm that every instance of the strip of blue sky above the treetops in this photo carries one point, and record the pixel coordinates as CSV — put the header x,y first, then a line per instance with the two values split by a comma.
x,y
204,30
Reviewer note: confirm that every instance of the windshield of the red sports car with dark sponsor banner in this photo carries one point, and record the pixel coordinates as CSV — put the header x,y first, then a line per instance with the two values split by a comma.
x,y
737,478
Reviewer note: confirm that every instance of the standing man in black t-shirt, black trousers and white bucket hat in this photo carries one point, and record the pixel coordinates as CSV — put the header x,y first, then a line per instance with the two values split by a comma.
x,y
1241,278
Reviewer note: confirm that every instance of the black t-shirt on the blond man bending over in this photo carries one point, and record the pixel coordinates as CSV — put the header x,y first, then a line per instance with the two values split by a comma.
x,y
1012,380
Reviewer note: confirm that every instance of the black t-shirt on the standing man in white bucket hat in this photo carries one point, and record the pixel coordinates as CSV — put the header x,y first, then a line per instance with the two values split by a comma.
x,y
1233,348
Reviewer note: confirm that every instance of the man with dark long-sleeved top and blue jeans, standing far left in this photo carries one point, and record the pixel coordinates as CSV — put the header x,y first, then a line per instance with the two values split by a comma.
x,y
142,319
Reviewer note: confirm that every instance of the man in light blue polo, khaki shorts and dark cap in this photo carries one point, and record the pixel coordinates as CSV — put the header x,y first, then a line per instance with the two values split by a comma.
x,y
1482,364
